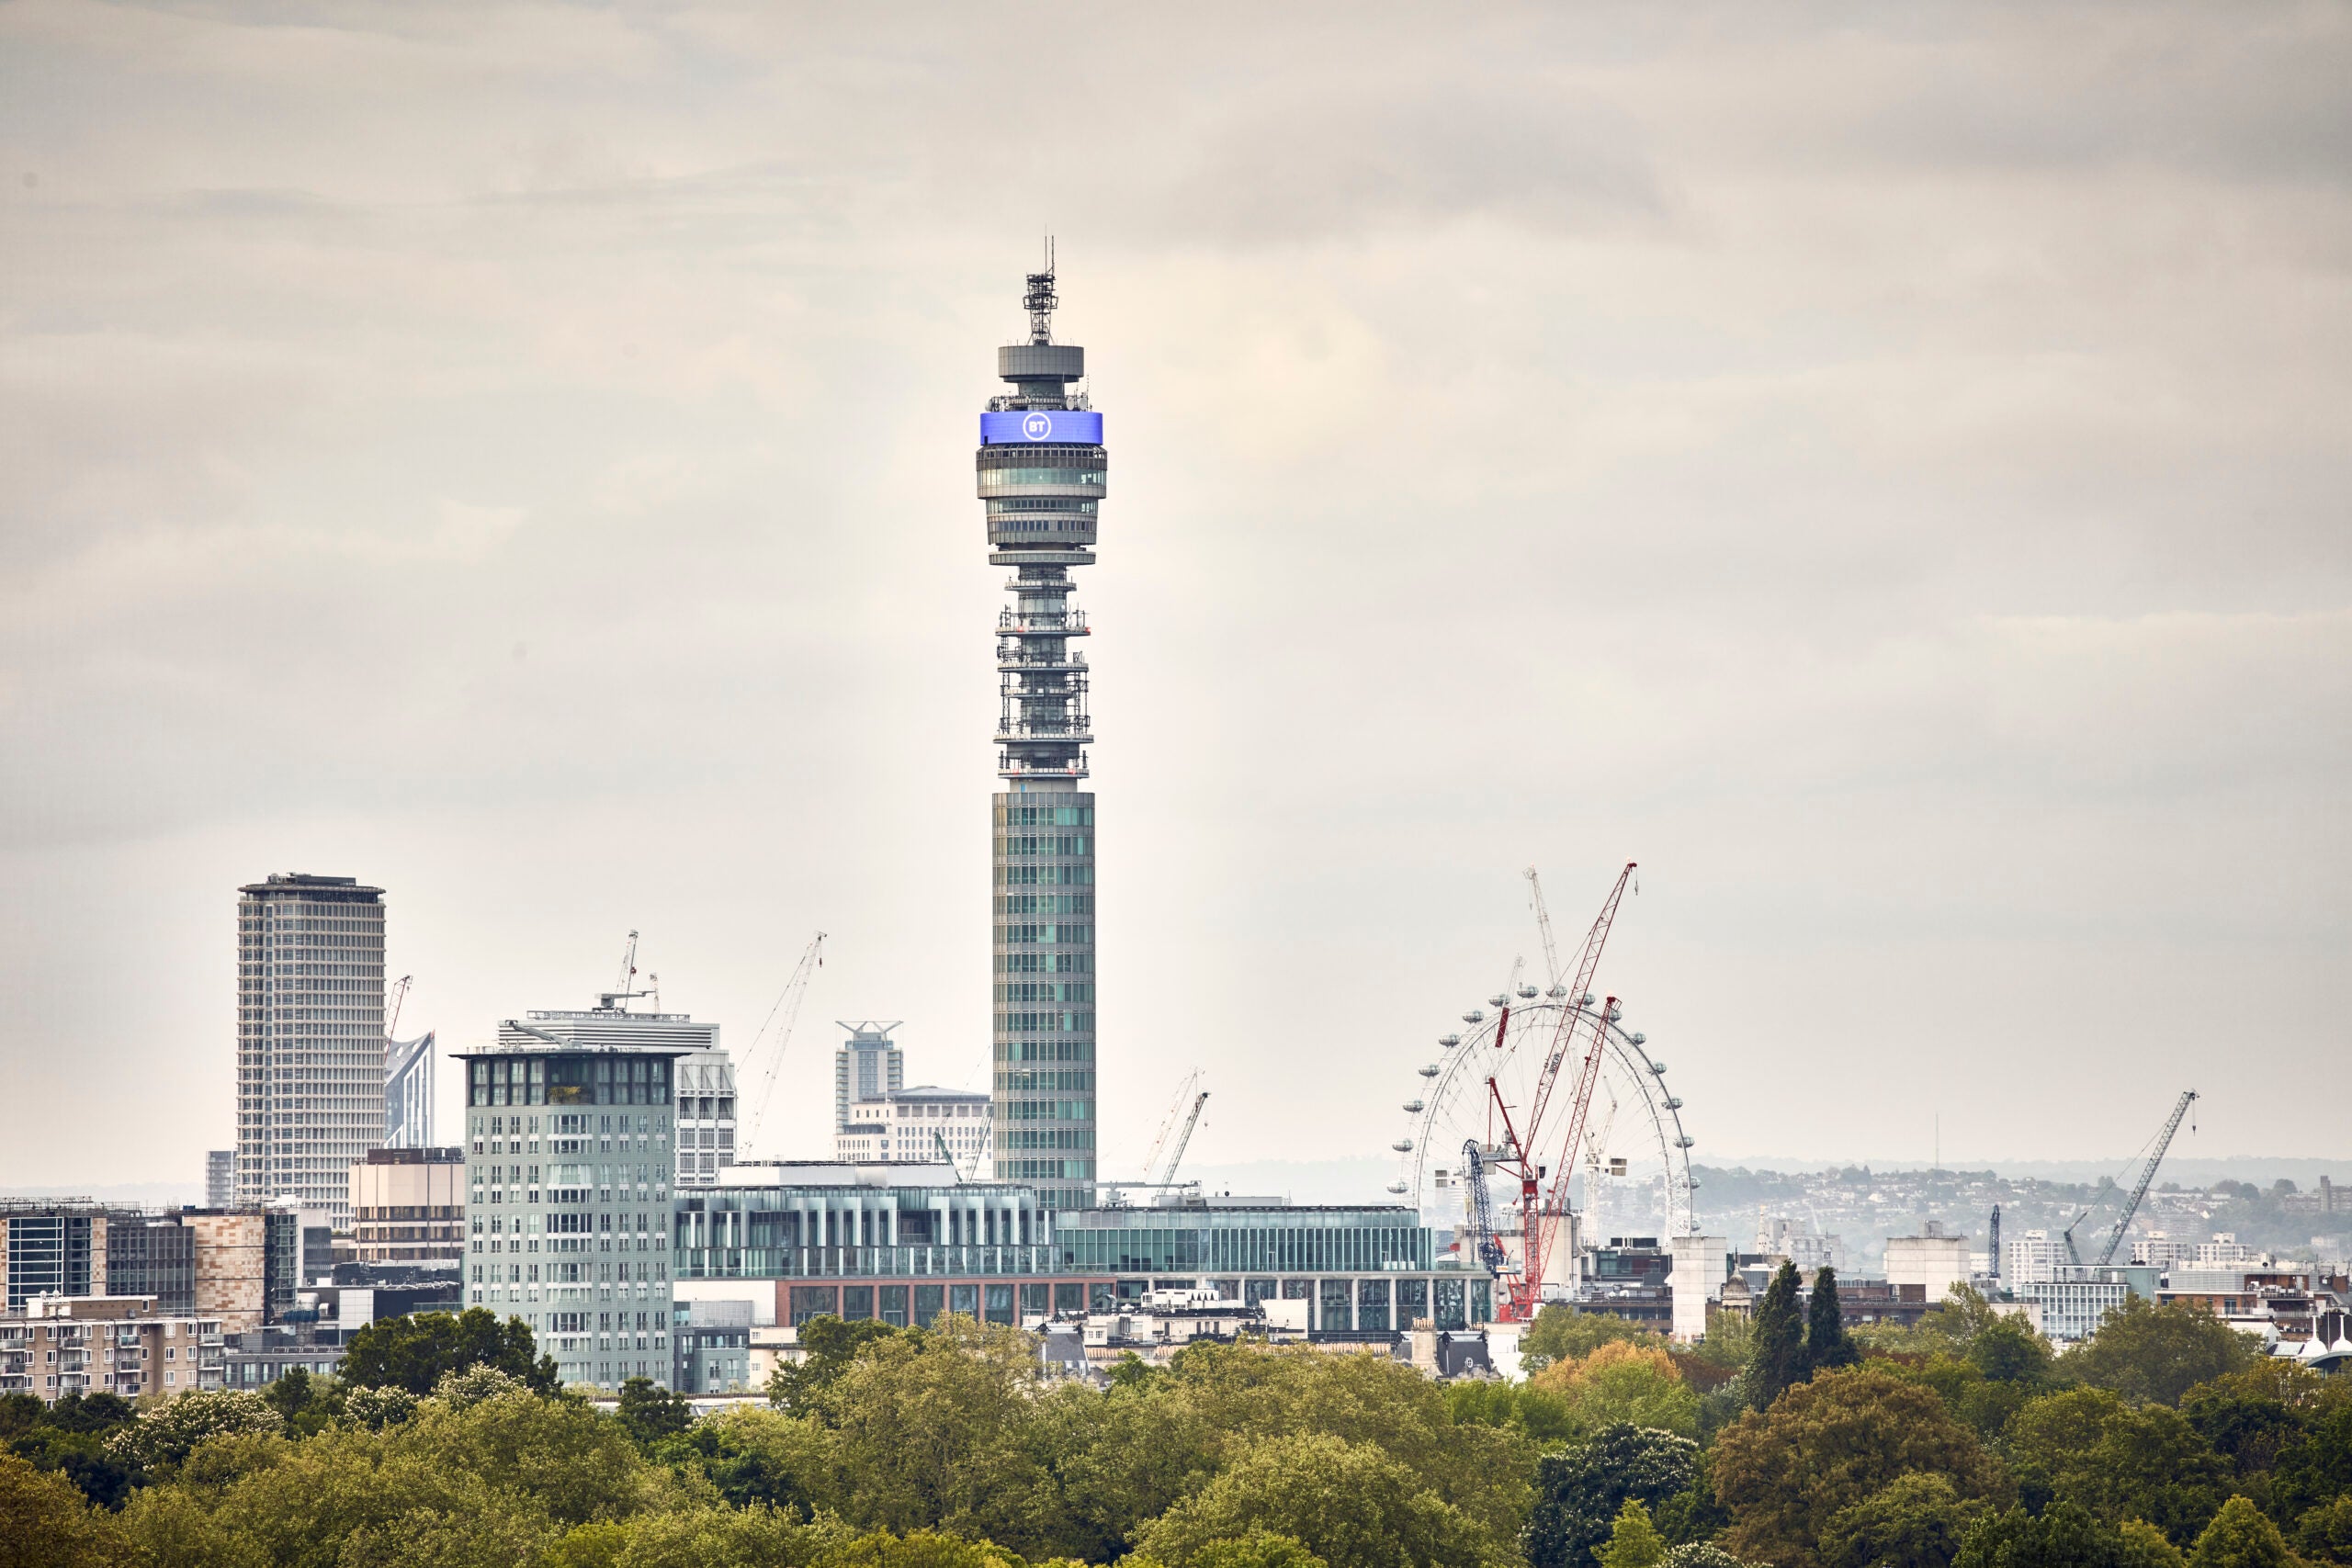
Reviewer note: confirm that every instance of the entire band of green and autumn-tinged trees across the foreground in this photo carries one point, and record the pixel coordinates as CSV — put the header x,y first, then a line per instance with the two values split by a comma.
x,y
1777,1442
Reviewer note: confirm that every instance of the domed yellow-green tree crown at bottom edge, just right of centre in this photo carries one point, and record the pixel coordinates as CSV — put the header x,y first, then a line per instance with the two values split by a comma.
x,y
1349,1503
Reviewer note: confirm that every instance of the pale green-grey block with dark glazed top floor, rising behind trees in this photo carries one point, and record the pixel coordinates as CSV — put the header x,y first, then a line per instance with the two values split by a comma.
x,y
568,1200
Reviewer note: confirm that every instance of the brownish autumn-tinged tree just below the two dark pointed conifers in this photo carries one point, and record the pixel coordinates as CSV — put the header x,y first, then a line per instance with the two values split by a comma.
x,y
1829,1445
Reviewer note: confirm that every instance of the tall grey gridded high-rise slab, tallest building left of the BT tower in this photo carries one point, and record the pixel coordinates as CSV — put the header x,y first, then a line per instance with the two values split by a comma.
x,y
309,1038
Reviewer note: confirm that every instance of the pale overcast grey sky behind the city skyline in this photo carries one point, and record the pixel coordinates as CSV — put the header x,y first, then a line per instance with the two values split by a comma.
x,y
1885,469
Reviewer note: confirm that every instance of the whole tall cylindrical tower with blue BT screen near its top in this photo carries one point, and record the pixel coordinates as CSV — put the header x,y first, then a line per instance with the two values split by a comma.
x,y
1041,476
